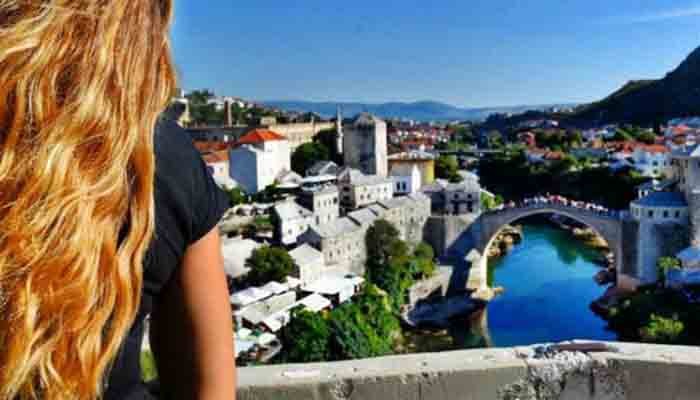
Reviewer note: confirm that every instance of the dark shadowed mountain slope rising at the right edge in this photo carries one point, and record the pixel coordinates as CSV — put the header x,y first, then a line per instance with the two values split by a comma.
x,y
649,102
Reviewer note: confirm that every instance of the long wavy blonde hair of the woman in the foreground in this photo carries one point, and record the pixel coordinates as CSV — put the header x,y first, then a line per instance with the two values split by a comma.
x,y
82,83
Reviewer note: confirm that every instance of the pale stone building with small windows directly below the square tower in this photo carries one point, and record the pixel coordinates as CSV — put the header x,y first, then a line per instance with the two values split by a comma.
x,y
360,190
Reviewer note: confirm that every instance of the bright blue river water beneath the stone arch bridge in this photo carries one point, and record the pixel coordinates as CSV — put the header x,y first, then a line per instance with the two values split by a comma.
x,y
548,282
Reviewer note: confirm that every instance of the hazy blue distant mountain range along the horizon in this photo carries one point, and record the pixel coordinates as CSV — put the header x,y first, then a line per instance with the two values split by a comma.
x,y
420,110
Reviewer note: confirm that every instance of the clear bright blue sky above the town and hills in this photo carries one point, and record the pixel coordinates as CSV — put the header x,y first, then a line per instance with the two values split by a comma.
x,y
470,53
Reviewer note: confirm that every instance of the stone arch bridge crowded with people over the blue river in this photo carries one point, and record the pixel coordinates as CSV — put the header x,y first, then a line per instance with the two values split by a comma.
x,y
489,224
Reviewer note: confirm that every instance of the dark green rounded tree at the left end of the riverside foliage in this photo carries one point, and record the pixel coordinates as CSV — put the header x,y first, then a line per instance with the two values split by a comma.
x,y
306,337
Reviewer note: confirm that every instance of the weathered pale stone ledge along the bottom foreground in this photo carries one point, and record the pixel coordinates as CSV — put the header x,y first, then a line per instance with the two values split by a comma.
x,y
632,371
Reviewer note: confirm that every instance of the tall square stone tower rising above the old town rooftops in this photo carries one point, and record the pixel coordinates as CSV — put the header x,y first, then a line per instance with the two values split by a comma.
x,y
365,145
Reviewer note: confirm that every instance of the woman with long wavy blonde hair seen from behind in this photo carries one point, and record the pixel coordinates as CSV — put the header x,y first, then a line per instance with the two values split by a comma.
x,y
102,221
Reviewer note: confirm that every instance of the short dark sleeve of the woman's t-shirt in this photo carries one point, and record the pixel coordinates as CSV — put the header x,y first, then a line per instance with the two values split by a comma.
x,y
209,202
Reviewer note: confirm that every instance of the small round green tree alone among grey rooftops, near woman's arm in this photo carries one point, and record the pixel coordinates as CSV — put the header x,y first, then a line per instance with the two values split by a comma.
x,y
269,264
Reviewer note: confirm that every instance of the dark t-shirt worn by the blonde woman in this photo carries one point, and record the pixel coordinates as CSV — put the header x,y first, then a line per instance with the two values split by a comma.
x,y
188,205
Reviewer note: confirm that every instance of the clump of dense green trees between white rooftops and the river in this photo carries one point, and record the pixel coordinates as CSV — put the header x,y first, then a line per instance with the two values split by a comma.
x,y
368,326
